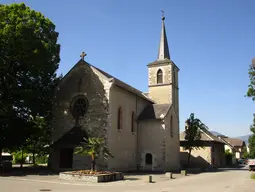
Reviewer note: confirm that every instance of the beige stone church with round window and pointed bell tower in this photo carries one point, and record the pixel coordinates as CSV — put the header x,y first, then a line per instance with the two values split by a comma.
x,y
141,130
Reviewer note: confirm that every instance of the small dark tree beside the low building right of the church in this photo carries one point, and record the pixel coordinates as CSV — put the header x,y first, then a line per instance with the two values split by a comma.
x,y
193,130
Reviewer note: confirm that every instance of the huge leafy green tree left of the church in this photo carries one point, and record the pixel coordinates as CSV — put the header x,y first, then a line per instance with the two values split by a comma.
x,y
29,58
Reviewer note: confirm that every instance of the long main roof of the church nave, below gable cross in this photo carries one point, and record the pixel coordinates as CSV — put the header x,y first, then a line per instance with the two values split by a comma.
x,y
115,81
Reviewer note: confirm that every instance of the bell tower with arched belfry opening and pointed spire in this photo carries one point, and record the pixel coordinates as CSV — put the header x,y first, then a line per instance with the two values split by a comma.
x,y
163,75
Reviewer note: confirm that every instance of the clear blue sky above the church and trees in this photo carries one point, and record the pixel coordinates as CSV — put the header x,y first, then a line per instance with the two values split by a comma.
x,y
212,42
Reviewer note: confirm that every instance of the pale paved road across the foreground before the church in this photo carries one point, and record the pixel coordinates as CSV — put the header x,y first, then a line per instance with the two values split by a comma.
x,y
225,181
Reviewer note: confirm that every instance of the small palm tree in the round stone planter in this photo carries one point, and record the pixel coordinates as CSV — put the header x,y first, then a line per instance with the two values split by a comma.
x,y
94,147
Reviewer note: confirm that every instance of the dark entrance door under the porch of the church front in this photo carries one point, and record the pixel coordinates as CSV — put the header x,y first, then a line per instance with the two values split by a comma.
x,y
66,158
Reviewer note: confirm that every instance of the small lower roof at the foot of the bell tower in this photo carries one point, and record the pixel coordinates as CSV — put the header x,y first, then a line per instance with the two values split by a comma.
x,y
154,111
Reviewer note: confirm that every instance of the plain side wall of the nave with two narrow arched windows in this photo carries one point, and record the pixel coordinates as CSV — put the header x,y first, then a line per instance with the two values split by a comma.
x,y
123,143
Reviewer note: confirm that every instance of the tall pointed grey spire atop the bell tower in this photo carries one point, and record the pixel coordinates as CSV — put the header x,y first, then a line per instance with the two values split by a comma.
x,y
163,52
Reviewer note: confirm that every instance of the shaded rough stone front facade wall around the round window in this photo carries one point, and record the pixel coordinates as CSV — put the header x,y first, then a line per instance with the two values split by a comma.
x,y
86,81
